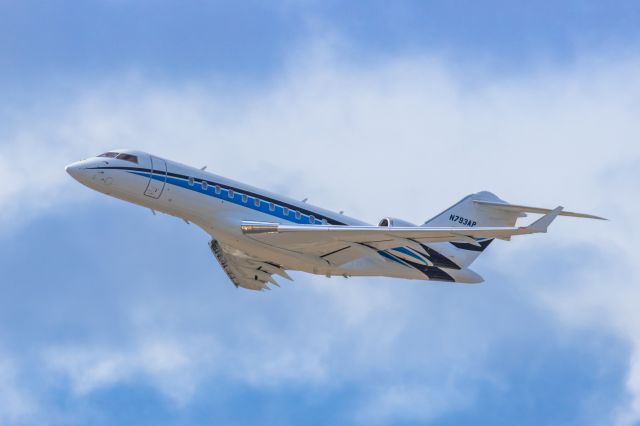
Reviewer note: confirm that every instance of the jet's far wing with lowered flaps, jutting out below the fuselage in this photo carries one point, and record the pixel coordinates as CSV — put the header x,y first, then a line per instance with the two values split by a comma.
x,y
244,270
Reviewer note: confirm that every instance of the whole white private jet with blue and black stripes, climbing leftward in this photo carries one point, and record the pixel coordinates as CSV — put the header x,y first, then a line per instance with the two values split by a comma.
x,y
257,234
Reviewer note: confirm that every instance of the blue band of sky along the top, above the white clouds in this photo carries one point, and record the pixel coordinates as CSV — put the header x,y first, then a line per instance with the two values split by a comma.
x,y
51,43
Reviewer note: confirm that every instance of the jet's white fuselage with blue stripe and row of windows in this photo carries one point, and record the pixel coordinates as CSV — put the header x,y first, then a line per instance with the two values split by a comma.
x,y
220,205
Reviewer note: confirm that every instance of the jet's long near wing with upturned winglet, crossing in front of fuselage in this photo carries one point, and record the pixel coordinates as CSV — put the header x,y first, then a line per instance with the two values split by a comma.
x,y
304,238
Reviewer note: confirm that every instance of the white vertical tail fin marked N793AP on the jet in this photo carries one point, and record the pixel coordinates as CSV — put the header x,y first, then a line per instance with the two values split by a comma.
x,y
468,213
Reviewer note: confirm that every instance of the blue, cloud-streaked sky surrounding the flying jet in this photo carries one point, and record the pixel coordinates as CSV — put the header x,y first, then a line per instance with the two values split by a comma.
x,y
110,315
